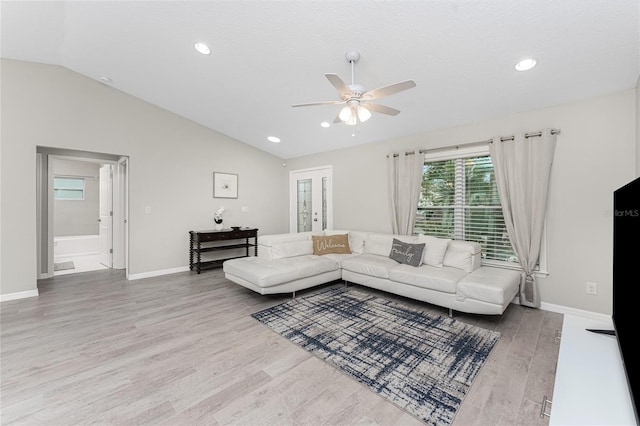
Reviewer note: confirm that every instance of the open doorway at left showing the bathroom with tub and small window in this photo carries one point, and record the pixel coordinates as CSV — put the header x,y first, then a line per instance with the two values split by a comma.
x,y
82,211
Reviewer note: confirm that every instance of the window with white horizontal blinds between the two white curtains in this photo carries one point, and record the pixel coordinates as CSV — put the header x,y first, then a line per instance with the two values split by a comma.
x,y
460,200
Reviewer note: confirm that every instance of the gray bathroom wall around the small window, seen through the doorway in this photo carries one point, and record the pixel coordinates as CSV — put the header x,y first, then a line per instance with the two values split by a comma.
x,y
77,217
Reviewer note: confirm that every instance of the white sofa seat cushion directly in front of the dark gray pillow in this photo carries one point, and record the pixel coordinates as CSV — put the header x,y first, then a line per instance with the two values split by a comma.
x,y
431,277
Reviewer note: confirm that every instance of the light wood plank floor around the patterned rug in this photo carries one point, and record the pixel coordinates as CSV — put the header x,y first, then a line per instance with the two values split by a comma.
x,y
182,349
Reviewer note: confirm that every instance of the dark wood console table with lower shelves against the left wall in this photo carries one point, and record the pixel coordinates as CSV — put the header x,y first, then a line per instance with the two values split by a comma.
x,y
217,241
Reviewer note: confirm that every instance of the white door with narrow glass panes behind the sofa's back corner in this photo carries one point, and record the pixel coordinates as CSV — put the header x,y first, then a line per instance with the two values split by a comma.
x,y
311,200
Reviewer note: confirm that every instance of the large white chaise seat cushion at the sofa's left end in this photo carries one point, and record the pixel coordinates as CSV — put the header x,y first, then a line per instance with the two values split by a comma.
x,y
267,273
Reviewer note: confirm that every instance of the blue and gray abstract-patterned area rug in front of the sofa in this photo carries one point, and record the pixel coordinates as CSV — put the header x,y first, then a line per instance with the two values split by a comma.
x,y
424,364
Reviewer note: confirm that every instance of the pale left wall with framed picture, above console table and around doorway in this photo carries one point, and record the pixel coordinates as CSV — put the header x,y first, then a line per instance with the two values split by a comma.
x,y
172,161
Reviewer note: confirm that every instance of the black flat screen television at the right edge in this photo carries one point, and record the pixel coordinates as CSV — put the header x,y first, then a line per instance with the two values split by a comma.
x,y
626,282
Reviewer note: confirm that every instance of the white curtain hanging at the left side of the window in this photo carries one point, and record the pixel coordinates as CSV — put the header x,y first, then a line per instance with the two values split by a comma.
x,y
405,183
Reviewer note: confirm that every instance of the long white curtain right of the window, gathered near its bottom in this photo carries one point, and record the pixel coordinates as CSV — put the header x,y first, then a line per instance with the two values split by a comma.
x,y
522,167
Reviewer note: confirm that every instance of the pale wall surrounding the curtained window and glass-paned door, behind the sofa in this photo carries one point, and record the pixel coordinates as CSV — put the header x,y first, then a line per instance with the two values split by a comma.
x,y
595,154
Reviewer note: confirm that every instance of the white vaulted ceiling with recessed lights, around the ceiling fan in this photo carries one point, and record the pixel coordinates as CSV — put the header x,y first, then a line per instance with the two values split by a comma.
x,y
269,55
